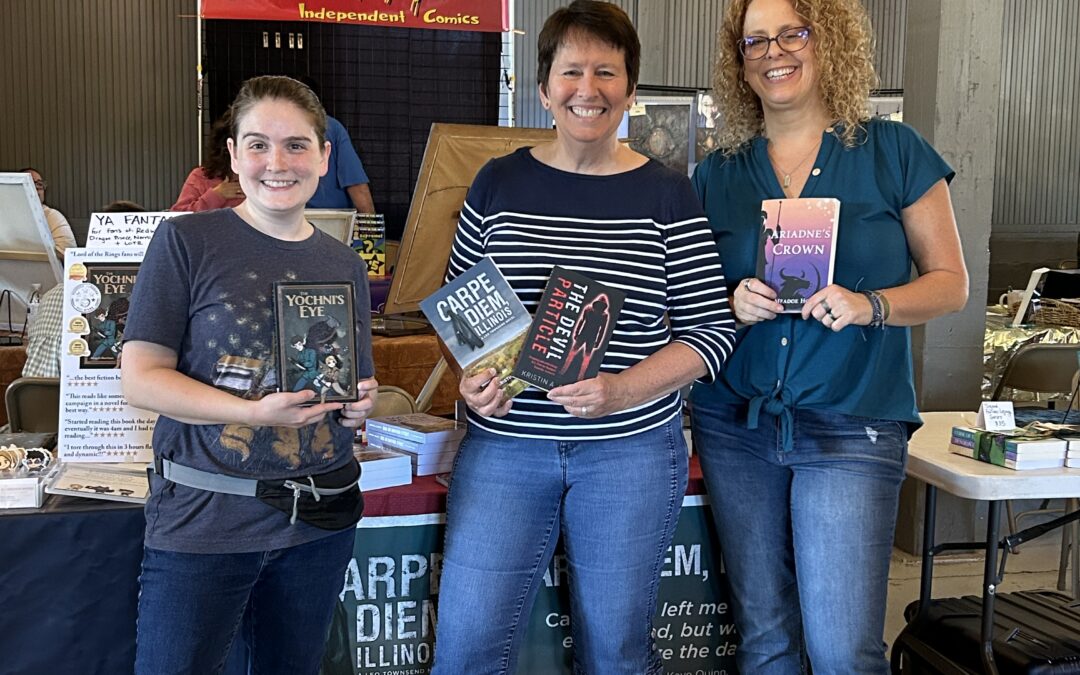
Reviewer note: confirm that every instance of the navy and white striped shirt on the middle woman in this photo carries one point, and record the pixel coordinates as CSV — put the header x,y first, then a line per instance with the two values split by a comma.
x,y
642,232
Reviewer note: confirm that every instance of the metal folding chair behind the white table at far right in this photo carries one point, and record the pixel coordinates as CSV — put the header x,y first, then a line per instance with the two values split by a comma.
x,y
1046,369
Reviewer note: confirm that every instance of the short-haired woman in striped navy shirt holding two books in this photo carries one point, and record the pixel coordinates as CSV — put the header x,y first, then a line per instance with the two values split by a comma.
x,y
601,463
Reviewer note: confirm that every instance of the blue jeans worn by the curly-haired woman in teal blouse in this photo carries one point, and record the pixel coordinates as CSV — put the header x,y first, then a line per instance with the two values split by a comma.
x,y
807,535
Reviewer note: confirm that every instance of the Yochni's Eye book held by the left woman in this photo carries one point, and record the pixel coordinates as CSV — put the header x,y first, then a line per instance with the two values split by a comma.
x,y
316,332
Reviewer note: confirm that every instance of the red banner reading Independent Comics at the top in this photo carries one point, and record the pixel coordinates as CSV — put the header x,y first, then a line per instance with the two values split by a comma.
x,y
487,16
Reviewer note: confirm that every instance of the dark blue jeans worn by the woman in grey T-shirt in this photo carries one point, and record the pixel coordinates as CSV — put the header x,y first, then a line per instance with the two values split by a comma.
x,y
192,607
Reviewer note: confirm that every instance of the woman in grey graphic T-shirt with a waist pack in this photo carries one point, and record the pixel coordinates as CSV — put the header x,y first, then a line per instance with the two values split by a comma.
x,y
251,519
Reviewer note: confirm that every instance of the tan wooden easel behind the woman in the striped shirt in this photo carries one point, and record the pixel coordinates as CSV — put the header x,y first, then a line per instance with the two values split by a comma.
x,y
454,156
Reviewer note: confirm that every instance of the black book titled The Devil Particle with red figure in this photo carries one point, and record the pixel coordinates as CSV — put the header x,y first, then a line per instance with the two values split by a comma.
x,y
571,332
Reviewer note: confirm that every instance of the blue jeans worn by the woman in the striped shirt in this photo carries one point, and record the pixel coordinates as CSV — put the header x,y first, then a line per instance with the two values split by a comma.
x,y
615,503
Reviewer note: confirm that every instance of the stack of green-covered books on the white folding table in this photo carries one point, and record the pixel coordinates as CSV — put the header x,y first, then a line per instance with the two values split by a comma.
x,y
1017,450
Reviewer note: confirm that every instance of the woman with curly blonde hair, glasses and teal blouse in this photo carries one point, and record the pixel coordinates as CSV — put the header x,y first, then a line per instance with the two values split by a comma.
x,y
804,439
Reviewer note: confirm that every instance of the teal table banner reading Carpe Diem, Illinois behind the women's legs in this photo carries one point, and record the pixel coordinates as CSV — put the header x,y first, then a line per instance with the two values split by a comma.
x,y
385,623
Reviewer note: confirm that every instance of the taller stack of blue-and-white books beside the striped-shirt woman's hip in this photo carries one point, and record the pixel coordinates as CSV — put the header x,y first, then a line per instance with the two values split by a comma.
x,y
431,443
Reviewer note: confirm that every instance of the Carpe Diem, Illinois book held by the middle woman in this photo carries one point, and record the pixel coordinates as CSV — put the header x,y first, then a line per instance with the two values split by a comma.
x,y
480,319
